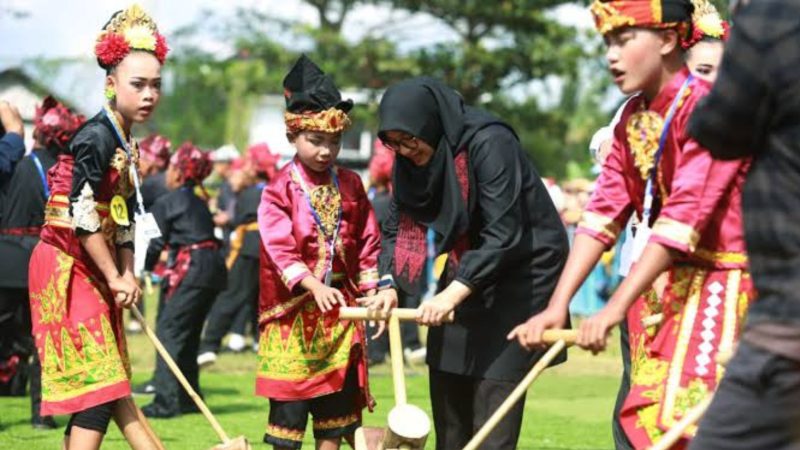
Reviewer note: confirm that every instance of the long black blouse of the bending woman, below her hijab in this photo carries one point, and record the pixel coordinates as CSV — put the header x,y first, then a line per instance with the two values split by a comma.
x,y
518,248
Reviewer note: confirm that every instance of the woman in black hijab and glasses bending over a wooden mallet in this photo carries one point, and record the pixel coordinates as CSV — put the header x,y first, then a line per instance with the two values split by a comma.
x,y
463,173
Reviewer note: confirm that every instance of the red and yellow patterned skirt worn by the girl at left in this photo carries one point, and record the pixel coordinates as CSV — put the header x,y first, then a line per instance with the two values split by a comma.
x,y
78,334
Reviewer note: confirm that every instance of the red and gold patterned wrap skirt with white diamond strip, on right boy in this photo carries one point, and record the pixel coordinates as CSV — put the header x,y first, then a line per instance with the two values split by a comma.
x,y
673,363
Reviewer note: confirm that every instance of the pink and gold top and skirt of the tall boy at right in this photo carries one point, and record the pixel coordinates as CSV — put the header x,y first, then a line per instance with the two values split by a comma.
x,y
698,214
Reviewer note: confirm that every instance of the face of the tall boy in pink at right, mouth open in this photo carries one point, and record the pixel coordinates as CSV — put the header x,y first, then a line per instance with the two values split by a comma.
x,y
634,58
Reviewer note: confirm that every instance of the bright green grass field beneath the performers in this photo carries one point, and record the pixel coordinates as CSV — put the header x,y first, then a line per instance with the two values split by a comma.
x,y
569,407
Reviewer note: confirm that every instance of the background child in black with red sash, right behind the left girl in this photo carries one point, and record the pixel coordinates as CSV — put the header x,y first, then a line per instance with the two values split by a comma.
x,y
195,274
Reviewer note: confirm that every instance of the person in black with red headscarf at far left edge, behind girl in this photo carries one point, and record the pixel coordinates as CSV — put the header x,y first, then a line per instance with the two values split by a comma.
x,y
21,220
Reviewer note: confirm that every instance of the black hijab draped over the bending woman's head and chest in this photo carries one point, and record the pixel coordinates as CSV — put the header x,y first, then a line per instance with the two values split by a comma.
x,y
433,112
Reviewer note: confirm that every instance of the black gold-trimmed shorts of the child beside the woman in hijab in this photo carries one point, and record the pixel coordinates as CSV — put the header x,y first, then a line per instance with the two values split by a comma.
x,y
334,415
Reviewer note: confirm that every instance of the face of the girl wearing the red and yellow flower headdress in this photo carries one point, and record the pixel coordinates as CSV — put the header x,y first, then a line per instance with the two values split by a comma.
x,y
137,84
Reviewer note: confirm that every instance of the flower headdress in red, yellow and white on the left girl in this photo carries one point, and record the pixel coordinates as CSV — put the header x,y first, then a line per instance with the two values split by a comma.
x,y
131,29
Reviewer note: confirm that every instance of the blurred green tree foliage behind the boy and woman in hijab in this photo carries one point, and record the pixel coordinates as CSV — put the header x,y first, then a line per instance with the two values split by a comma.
x,y
500,47
